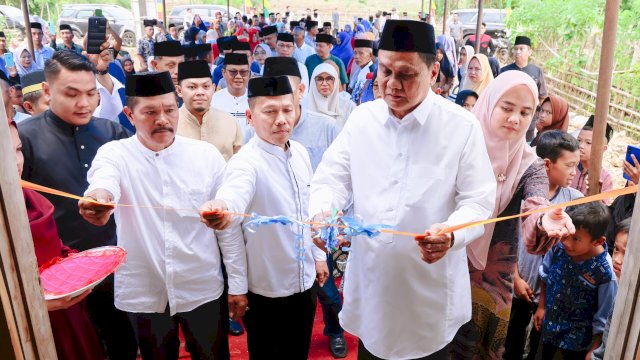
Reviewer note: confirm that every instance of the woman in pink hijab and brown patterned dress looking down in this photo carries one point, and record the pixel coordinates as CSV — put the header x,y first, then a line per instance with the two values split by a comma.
x,y
504,111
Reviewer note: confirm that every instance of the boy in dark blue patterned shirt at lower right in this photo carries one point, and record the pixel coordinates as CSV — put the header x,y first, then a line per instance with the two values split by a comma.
x,y
578,287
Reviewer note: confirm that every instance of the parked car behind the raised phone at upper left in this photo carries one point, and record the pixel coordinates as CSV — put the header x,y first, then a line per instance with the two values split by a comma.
x,y
120,20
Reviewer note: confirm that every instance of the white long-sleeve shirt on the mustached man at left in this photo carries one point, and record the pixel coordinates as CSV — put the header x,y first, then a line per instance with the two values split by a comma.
x,y
171,256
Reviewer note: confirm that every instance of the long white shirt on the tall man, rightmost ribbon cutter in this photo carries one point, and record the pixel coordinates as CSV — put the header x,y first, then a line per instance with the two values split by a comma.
x,y
430,167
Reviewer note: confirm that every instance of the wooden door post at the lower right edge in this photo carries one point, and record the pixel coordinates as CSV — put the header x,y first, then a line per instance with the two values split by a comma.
x,y
624,331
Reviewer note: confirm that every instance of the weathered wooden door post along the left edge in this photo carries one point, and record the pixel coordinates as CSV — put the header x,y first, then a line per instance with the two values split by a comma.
x,y
21,294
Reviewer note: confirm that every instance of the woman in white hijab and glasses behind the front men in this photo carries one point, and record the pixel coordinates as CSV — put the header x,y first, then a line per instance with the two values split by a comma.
x,y
324,95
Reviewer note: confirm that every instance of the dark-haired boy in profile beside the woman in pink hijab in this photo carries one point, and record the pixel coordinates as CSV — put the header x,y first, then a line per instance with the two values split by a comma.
x,y
560,153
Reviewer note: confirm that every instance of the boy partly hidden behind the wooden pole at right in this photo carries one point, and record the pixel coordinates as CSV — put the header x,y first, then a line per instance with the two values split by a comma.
x,y
585,136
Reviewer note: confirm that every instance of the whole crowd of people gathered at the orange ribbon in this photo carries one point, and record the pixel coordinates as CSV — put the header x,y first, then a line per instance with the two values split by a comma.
x,y
298,117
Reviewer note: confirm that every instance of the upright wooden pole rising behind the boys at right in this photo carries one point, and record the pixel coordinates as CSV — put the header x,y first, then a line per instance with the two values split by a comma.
x,y
605,77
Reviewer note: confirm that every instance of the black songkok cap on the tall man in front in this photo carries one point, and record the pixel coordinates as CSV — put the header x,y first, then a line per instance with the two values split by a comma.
x,y
408,36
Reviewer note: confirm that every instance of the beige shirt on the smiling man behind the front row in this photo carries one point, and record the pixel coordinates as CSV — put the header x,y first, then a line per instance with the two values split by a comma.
x,y
218,128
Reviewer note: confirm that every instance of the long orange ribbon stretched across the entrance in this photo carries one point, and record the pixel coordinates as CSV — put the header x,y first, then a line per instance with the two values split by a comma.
x,y
584,200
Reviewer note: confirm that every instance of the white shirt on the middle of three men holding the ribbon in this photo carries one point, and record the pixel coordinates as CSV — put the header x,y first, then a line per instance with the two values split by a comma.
x,y
265,179
